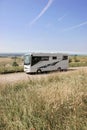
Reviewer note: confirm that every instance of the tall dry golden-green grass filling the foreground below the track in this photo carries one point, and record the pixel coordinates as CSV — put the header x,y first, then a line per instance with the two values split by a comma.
x,y
55,102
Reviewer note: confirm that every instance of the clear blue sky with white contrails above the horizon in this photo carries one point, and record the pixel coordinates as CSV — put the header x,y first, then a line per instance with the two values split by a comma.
x,y
43,25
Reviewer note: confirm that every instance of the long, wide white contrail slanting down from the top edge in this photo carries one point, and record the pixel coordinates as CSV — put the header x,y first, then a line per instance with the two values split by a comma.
x,y
43,11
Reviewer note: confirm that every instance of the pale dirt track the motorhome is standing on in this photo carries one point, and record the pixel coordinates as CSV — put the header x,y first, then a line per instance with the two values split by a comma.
x,y
16,77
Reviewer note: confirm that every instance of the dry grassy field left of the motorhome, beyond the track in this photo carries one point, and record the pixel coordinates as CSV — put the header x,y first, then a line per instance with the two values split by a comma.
x,y
7,64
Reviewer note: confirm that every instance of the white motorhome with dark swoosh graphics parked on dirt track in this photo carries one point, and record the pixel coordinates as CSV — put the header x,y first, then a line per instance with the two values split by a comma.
x,y
44,62
